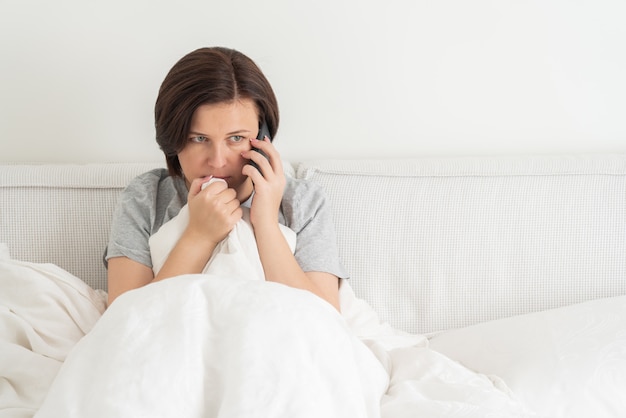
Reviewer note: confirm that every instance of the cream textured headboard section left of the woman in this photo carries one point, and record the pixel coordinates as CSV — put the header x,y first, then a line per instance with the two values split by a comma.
x,y
61,214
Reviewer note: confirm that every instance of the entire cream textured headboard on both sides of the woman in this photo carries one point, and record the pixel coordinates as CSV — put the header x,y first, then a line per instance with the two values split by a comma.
x,y
431,244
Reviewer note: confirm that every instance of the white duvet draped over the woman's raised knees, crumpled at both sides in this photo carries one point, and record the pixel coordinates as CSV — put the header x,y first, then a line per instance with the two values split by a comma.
x,y
219,344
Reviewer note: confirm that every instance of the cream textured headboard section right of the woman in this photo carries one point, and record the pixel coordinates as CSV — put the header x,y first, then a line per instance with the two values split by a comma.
x,y
437,244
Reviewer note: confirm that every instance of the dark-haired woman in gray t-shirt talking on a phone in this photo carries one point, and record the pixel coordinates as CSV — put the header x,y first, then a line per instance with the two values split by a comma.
x,y
208,113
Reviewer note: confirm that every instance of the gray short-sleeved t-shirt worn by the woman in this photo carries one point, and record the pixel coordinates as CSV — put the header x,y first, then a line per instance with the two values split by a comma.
x,y
155,197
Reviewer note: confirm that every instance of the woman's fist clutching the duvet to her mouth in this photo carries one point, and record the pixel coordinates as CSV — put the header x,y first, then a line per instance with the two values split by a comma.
x,y
213,212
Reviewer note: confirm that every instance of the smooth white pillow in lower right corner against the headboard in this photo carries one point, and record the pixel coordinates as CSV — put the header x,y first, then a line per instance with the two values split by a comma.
x,y
568,362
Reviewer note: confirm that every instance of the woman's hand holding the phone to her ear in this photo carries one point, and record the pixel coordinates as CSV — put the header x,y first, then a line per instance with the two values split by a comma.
x,y
269,183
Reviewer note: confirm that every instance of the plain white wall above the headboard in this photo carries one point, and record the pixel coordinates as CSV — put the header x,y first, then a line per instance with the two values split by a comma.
x,y
354,78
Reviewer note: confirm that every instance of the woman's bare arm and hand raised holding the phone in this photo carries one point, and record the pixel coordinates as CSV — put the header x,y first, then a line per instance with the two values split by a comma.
x,y
279,263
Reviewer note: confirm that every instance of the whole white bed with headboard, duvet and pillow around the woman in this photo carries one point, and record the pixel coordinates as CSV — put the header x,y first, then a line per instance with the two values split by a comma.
x,y
494,288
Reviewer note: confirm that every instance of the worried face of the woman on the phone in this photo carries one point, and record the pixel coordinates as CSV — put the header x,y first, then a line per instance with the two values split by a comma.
x,y
219,134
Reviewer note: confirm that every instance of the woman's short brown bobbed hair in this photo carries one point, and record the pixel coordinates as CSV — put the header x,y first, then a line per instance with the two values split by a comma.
x,y
207,76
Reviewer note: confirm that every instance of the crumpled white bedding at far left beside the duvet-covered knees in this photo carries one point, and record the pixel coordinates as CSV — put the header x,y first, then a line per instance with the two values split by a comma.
x,y
44,312
